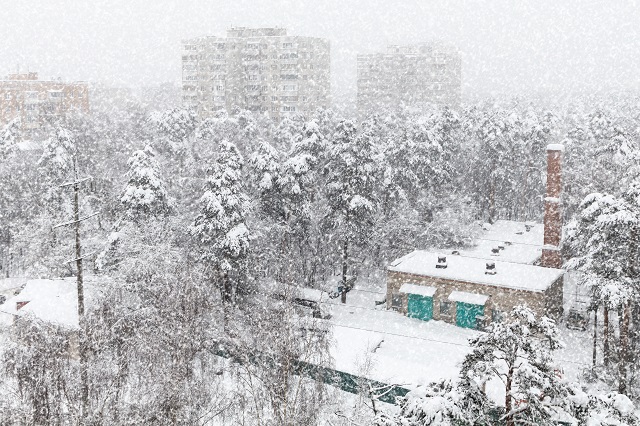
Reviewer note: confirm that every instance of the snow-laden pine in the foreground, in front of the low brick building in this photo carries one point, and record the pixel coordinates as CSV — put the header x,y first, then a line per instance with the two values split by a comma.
x,y
515,356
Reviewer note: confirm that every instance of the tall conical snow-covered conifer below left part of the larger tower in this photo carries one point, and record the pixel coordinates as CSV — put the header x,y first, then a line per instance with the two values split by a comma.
x,y
220,227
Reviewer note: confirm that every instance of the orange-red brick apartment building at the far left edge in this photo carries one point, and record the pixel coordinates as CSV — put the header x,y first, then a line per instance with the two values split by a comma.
x,y
37,102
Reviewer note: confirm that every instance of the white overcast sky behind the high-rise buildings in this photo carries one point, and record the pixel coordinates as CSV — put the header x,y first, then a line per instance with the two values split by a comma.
x,y
508,46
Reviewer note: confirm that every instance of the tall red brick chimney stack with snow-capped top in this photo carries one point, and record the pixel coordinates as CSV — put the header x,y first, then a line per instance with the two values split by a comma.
x,y
551,256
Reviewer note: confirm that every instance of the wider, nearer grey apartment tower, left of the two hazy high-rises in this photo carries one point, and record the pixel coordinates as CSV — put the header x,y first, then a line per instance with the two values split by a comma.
x,y
261,69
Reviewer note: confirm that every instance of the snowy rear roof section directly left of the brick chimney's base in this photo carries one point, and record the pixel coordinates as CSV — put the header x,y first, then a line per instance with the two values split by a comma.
x,y
519,242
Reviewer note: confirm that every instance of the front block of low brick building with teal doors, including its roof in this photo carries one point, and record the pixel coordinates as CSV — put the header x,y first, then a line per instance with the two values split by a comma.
x,y
467,291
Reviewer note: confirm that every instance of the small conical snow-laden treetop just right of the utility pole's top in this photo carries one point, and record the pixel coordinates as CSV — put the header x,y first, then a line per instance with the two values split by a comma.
x,y
145,193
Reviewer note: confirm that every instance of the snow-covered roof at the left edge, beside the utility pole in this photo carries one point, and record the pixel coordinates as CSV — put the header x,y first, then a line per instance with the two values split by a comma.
x,y
54,301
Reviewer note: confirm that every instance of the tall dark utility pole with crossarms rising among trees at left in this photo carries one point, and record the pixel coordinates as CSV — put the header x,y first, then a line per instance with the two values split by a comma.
x,y
82,338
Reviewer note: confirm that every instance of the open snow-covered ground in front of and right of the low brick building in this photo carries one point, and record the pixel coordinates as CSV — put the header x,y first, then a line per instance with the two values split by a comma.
x,y
384,345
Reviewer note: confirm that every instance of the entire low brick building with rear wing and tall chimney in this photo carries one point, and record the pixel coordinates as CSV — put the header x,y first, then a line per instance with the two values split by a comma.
x,y
512,263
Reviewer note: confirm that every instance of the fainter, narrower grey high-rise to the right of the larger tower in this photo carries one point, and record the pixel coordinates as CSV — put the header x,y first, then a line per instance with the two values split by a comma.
x,y
409,76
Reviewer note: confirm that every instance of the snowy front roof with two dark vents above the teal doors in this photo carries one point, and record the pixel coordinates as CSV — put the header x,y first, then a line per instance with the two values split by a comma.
x,y
472,270
